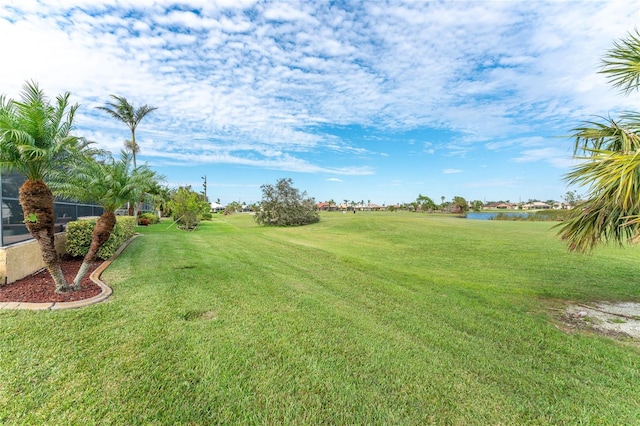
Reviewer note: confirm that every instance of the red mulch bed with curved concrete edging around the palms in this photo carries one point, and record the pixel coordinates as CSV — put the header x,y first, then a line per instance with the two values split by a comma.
x,y
40,288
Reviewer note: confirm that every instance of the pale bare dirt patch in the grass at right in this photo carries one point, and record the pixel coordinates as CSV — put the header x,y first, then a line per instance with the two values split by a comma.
x,y
621,319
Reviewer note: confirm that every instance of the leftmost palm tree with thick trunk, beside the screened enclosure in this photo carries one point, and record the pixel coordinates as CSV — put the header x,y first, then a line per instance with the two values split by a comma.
x,y
36,140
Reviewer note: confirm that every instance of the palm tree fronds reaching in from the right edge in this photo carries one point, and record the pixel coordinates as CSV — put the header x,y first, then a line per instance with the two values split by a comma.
x,y
609,152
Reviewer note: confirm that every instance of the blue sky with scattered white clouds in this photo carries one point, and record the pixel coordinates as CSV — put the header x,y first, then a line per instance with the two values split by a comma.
x,y
375,101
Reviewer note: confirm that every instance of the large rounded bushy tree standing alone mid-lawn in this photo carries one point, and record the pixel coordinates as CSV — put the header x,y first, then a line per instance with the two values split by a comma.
x,y
284,205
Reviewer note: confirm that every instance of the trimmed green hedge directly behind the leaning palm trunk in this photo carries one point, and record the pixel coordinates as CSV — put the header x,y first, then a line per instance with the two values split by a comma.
x,y
79,236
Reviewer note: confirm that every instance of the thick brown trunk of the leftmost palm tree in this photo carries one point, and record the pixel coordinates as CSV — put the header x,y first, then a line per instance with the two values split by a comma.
x,y
36,200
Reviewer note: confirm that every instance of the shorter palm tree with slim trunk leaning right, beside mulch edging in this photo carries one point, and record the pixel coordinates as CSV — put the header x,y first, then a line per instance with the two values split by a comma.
x,y
110,184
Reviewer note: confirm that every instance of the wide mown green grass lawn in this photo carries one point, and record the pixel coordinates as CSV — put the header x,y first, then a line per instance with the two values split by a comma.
x,y
372,318
